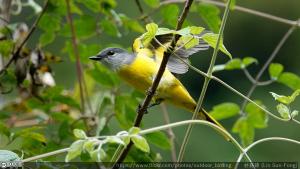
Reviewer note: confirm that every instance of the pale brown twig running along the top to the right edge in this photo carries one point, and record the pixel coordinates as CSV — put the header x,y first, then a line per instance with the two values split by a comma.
x,y
243,9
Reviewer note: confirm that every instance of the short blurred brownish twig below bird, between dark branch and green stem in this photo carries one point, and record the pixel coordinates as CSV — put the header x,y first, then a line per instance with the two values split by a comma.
x,y
170,132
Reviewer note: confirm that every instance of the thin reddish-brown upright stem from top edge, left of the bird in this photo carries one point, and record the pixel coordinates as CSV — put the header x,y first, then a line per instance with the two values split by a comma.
x,y
76,53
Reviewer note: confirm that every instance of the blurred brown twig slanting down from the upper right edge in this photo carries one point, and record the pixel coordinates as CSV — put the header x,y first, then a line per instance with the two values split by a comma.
x,y
267,63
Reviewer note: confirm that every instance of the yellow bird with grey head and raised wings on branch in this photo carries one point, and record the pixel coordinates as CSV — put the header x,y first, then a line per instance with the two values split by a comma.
x,y
140,67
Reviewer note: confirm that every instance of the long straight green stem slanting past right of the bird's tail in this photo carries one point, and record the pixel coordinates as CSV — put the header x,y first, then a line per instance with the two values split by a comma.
x,y
206,82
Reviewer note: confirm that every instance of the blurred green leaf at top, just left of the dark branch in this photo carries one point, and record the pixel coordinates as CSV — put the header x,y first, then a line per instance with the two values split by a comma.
x,y
170,13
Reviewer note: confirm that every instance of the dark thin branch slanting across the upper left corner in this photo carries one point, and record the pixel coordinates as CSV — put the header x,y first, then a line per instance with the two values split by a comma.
x,y
32,29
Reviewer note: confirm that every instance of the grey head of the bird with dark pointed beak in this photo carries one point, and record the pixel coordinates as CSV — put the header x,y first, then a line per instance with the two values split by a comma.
x,y
114,58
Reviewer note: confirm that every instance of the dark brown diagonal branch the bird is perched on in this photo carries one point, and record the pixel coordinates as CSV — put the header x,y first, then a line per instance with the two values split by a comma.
x,y
143,108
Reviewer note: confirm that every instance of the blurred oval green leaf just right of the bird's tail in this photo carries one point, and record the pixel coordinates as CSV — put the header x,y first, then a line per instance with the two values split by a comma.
x,y
224,110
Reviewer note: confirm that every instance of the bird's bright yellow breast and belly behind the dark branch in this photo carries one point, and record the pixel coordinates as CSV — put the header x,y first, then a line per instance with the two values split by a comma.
x,y
141,73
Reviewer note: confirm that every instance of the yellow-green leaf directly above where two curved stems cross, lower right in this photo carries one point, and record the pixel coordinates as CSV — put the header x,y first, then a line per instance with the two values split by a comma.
x,y
245,130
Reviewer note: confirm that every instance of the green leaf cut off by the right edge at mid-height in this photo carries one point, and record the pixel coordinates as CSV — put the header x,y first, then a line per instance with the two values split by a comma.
x,y
290,79
